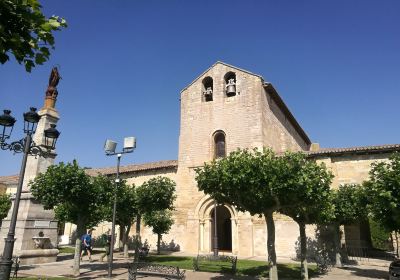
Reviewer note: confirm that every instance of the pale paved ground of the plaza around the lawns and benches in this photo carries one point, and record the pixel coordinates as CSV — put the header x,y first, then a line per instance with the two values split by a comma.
x,y
371,269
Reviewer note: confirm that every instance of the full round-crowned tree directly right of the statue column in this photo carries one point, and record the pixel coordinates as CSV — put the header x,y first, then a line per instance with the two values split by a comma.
x,y
74,196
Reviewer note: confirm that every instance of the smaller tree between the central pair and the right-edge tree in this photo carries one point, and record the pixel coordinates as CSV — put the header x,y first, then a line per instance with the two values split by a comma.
x,y
350,206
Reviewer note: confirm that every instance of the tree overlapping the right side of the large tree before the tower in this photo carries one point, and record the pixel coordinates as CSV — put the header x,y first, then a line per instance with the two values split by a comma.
x,y
311,194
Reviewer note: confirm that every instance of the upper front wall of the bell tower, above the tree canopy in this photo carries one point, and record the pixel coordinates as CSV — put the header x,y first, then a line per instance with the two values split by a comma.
x,y
238,116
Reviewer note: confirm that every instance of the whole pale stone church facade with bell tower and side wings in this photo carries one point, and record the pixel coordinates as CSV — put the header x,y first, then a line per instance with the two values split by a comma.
x,y
224,109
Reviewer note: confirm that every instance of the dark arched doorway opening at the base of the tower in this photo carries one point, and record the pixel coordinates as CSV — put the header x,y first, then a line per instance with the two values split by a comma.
x,y
224,228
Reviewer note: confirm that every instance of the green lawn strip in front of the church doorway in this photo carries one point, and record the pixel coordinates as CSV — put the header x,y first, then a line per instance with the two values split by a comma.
x,y
244,267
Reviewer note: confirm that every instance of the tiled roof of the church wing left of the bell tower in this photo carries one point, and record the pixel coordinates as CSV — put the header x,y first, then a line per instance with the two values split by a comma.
x,y
134,167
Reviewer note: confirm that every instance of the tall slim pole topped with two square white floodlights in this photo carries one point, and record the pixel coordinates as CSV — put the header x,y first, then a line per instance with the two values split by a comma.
x,y
109,148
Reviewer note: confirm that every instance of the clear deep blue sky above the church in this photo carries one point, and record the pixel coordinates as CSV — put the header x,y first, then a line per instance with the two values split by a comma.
x,y
335,63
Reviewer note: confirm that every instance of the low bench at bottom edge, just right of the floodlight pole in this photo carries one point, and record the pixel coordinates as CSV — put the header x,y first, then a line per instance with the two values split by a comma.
x,y
152,269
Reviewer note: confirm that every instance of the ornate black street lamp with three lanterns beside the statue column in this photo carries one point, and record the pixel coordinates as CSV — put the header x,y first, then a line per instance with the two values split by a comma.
x,y
28,147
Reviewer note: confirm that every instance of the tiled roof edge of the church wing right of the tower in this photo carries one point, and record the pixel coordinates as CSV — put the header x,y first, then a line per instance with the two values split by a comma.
x,y
353,150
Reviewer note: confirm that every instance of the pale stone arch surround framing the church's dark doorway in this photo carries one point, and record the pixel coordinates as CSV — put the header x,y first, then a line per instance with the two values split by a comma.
x,y
228,217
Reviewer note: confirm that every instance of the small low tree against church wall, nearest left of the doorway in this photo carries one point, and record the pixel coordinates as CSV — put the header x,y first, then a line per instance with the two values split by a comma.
x,y
161,222
